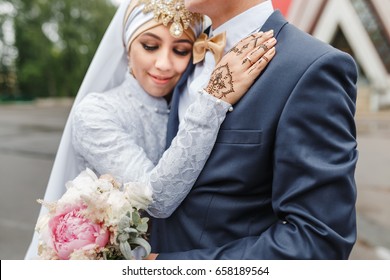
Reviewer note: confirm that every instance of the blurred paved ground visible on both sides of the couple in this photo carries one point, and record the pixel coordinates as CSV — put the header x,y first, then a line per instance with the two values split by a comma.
x,y
30,134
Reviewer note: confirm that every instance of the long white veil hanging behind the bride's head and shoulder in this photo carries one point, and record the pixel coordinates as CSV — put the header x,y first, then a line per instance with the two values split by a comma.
x,y
111,56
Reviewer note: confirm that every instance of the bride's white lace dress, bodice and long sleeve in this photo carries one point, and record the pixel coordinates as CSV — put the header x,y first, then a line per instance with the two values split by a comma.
x,y
123,132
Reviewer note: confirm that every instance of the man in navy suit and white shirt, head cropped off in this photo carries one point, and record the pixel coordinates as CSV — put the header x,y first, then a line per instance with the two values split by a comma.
x,y
279,183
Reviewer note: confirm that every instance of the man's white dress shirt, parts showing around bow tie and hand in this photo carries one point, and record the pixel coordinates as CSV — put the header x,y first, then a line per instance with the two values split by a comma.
x,y
236,29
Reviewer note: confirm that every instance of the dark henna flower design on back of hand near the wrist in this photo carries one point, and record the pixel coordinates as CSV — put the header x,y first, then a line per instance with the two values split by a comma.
x,y
221,82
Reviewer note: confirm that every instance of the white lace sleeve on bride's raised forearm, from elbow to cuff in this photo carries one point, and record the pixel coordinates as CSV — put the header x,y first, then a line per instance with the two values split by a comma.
x,y
181,164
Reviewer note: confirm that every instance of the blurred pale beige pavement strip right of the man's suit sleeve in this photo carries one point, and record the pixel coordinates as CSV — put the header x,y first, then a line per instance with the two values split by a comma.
x,y
373,182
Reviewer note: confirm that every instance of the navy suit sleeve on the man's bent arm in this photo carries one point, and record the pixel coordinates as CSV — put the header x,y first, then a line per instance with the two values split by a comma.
x,y
313,189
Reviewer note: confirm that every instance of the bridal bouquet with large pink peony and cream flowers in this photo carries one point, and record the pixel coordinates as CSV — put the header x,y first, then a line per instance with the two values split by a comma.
x,y
95,219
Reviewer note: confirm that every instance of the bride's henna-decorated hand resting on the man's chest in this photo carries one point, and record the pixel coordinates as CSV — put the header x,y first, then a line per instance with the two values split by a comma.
x,y
239,68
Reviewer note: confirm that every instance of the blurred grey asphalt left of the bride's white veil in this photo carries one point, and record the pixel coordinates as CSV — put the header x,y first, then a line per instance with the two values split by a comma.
x,y
29,137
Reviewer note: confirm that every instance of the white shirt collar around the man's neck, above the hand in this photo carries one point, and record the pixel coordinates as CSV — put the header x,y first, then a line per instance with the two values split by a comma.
x,y
244,23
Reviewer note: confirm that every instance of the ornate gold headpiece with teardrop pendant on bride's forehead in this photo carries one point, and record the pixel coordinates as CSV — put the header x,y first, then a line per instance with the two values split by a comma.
x,y
173,11
